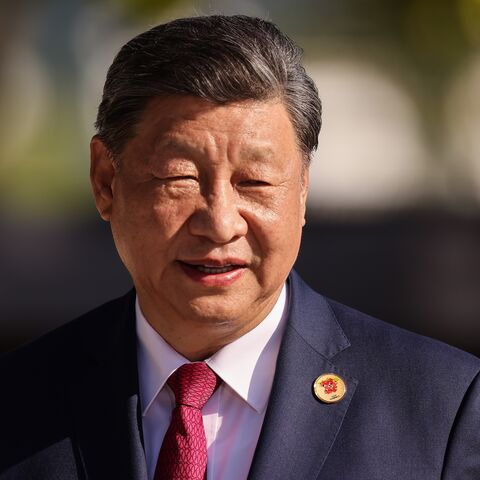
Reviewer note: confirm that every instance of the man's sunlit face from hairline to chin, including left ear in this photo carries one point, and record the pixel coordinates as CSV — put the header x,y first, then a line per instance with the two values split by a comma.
x,y
206,206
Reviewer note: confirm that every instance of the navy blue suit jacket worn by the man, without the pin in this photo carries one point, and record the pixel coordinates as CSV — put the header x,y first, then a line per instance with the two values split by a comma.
x,y
69,406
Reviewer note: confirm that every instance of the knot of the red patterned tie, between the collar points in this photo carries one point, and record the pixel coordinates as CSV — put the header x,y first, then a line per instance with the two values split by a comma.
x,y
193,384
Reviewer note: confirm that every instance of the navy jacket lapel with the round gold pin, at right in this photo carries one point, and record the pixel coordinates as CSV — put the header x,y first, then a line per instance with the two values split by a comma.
x,y
299,430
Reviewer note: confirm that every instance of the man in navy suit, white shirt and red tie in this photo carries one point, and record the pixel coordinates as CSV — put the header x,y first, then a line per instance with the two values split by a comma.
x,y
222,363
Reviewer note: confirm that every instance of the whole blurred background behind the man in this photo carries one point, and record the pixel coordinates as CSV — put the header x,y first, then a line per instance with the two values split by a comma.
x,y
394,220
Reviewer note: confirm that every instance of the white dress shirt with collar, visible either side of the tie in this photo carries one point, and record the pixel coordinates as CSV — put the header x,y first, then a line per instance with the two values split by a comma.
x,y
234,414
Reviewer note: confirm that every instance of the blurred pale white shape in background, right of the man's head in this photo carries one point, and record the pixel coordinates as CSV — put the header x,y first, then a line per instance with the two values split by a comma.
x,y
371,154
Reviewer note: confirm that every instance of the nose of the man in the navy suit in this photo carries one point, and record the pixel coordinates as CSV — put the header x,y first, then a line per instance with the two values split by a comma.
x,y
219,218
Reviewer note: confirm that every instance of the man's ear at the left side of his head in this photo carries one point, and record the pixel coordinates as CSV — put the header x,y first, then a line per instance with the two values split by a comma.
x,y
102,174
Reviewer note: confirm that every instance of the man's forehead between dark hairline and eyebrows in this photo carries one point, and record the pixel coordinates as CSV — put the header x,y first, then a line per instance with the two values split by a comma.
x,y
187,122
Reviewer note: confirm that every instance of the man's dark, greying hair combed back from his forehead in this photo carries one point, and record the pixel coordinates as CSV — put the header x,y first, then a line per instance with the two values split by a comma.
x,y
218,58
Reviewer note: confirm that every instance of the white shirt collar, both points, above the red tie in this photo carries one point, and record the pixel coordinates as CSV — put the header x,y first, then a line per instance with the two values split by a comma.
x,y
246,365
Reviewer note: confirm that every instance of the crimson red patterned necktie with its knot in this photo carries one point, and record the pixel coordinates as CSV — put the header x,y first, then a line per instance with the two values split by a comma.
x,y
183,455
